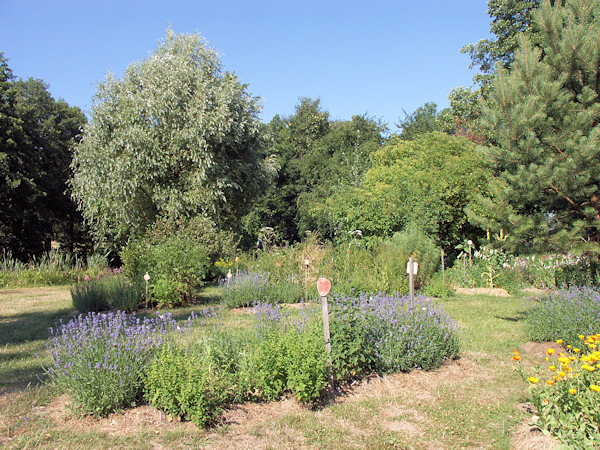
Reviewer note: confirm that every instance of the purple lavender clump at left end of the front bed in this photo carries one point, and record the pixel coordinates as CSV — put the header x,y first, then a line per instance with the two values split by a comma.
x,y
99,359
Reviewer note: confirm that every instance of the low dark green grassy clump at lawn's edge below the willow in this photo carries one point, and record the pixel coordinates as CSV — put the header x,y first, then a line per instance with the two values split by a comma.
x,y
105,293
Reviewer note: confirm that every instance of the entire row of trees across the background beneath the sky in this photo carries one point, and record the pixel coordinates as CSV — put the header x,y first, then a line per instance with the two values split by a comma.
x,y
178,138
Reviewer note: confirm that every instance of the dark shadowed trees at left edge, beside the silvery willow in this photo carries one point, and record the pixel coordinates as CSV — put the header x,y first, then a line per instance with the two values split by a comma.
x,y
37,134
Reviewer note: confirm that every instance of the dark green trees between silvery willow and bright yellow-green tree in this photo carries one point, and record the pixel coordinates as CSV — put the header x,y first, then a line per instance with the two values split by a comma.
x,y
314,156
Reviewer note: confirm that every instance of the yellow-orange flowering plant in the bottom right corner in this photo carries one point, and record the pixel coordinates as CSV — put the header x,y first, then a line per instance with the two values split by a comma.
x,y
565,390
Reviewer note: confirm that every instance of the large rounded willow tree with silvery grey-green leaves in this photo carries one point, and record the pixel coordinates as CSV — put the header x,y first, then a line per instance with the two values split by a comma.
x,y
177,136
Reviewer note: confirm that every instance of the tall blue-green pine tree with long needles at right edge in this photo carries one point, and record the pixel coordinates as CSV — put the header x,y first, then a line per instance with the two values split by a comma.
x,y
545,111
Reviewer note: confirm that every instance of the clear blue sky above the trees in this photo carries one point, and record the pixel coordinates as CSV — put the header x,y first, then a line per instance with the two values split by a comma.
x,y
359,57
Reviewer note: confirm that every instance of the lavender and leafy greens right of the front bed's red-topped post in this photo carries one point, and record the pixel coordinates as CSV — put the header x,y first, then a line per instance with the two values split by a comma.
x,y
384,333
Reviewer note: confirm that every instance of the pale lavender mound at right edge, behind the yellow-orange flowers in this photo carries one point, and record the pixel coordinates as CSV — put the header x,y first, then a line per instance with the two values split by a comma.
x,y
565,314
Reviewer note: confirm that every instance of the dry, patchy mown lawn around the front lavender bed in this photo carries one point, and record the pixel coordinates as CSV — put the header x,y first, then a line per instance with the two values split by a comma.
x,y
470,402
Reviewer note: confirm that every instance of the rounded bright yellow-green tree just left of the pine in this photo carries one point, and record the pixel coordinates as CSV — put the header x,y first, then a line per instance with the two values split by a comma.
x,y
427,182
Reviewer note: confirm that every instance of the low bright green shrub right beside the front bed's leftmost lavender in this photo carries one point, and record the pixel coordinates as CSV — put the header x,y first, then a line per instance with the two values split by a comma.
x,y
186,384
